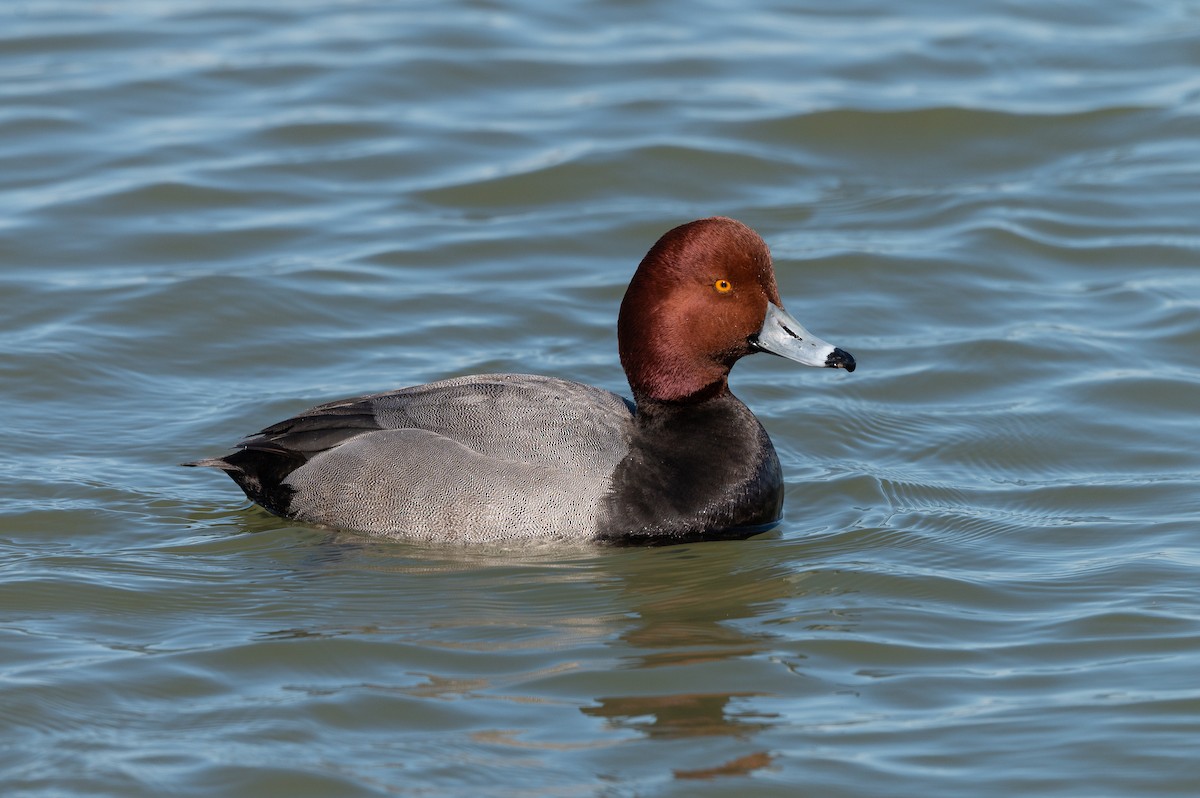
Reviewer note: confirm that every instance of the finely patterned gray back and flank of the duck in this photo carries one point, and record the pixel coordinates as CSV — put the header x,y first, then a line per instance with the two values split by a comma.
x,y
517,455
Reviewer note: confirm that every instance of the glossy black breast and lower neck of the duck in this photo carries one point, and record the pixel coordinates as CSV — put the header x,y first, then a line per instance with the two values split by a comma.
x,y
697,470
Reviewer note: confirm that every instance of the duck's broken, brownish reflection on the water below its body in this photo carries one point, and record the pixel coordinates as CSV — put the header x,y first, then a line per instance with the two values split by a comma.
x,y
688,617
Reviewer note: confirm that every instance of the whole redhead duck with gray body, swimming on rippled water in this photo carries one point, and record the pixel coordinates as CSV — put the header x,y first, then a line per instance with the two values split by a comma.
x,y
518,457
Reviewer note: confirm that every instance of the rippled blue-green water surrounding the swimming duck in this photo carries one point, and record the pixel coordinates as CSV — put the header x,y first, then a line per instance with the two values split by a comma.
x,y
218,214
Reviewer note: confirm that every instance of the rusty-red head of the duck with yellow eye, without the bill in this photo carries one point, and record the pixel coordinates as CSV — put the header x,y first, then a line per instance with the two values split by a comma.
x,y
693,309
